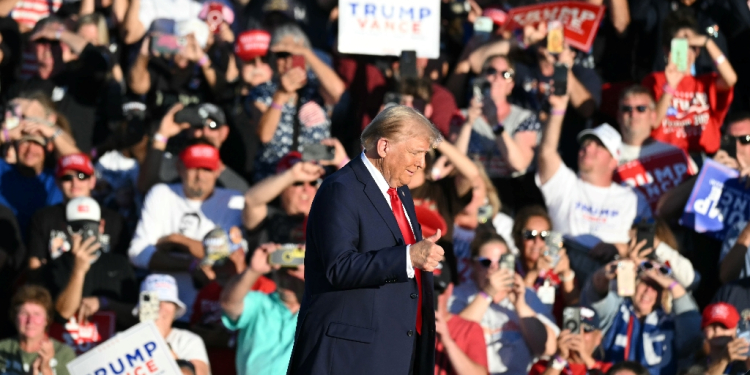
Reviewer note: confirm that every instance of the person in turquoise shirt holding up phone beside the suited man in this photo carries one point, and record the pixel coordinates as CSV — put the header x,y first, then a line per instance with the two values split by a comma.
x,y
266,322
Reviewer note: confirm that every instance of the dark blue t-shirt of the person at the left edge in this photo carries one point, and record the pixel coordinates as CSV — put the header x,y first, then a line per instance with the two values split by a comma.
x,y
24,195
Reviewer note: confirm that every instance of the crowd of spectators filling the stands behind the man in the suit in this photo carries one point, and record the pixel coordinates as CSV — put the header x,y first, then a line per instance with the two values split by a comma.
x,y
170,147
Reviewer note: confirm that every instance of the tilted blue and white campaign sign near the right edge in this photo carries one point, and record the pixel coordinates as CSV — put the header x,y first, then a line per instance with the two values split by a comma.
x,y
718,201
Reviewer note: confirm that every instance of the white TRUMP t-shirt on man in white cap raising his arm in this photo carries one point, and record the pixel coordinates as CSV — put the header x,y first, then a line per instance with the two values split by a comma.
x,y
590,214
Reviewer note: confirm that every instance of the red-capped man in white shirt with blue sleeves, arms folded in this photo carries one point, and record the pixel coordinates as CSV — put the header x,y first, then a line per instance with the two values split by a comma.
x,y
176,217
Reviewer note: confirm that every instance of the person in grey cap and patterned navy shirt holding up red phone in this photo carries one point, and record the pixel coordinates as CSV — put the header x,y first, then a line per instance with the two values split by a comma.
x,y
293,102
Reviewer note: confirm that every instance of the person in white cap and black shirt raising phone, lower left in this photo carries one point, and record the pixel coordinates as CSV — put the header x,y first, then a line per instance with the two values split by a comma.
x,y
88,280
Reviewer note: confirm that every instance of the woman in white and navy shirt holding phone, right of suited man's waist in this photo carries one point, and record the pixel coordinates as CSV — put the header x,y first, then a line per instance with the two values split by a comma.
x,y
494,297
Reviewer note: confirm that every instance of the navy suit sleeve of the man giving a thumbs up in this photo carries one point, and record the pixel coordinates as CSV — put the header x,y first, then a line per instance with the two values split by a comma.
x,y
334,228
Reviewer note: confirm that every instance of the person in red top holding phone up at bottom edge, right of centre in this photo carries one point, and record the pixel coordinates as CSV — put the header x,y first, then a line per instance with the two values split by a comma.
x,y
576,351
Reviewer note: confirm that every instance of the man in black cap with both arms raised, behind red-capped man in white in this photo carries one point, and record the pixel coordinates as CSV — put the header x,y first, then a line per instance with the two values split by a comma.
x,y
208,123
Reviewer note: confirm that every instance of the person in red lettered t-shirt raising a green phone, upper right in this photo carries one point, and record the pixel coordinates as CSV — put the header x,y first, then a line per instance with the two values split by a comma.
x,y
690,108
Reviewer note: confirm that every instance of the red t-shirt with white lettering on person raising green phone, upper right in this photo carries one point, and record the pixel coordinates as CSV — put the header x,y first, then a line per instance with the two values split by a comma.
x,y
693,120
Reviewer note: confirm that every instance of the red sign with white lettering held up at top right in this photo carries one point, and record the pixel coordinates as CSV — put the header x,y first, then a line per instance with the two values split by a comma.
x,y
580,20
